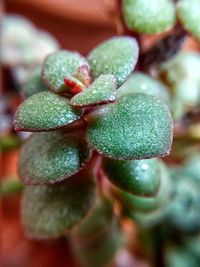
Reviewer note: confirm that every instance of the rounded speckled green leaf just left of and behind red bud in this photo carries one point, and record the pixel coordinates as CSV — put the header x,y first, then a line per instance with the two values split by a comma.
x,y
59,65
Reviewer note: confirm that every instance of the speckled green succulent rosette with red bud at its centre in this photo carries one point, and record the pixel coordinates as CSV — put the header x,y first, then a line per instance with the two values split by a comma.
x,y
76,106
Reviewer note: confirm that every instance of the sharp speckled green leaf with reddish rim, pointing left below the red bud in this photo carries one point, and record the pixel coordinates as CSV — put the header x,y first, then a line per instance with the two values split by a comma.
x,y
45,111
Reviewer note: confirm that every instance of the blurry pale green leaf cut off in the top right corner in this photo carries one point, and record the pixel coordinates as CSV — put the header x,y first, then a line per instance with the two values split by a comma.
x,y
189,15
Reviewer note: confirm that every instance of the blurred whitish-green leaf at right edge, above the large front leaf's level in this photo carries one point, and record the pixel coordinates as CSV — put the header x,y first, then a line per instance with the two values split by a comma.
x,y
181,73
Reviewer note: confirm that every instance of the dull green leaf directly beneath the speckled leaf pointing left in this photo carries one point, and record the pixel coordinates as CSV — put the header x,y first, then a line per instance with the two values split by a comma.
x,y
52,156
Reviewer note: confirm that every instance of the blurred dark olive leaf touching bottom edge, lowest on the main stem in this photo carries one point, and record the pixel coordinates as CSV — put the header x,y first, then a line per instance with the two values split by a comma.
x,y
106,241
